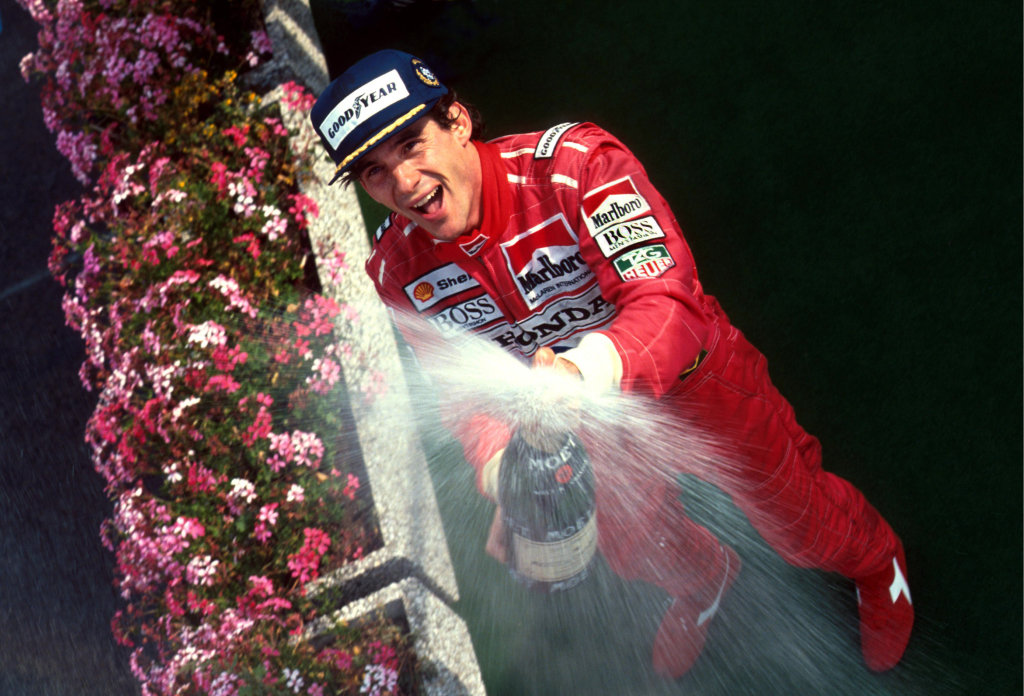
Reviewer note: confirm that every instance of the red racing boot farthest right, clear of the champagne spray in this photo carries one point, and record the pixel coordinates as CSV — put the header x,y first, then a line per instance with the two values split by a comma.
x,y
886,615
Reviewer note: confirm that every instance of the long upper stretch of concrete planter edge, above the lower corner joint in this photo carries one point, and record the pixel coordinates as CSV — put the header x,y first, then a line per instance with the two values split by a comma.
x,y
403,493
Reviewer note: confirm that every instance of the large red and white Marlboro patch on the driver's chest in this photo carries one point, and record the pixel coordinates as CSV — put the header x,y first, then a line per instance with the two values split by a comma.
x,y
546,262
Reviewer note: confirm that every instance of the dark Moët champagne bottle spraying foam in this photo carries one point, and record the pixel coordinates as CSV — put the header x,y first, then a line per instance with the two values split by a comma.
x,y
546,491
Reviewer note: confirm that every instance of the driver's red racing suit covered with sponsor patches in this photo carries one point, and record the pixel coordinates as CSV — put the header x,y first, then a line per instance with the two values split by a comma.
x,y
578,251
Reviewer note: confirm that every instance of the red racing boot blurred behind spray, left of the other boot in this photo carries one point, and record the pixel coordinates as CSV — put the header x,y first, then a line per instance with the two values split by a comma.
x,y
685,627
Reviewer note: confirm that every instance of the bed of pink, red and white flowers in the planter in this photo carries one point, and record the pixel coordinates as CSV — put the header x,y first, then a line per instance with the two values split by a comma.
x,y
189,276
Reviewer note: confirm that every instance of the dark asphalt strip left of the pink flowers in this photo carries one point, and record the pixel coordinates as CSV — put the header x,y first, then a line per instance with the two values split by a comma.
x,y
57,600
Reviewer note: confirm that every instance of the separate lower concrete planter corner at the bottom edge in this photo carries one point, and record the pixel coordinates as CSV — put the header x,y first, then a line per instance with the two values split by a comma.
x,y
440,637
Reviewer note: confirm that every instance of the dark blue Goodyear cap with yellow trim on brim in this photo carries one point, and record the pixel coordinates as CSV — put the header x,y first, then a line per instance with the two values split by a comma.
x,y
374,100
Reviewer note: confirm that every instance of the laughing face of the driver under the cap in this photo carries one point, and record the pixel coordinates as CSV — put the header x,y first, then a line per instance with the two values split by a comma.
x,y
429,175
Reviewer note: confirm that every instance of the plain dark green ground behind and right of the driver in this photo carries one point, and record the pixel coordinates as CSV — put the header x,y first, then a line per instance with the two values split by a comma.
x,y
848,178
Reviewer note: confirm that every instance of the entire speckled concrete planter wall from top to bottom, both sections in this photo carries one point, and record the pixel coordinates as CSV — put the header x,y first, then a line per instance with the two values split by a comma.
x,y
414,568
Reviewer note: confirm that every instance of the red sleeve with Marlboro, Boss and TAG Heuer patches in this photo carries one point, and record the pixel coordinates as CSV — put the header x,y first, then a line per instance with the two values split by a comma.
x,y
661,327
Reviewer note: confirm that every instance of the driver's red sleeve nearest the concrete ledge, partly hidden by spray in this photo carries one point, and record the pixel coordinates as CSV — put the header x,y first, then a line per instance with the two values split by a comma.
x,y
481,434
